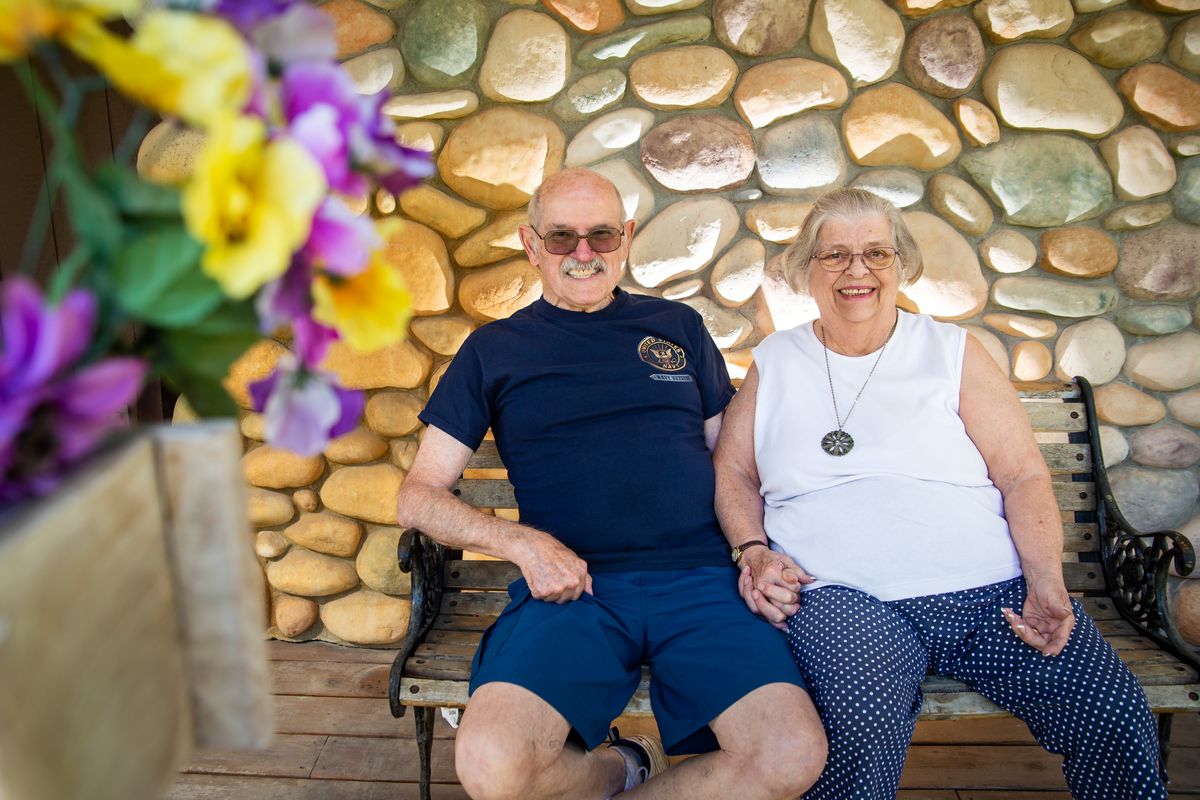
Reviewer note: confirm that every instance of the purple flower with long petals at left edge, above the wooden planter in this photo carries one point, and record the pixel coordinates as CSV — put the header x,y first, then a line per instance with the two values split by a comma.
x,y
52,412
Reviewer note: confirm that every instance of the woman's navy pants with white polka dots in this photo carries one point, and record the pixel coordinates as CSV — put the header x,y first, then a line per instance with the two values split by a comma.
x,y
865,660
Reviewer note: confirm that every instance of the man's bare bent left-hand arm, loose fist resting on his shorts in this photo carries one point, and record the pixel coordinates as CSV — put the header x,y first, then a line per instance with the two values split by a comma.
x,y
425,502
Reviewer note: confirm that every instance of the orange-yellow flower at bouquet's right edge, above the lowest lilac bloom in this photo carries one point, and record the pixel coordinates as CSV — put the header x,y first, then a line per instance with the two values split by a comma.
x,y
370,310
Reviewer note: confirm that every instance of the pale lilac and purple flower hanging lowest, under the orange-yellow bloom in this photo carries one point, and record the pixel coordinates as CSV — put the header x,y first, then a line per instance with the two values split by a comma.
x,y
304,408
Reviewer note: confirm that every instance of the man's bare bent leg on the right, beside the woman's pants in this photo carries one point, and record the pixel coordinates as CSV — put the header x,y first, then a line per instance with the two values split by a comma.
x,y
773,748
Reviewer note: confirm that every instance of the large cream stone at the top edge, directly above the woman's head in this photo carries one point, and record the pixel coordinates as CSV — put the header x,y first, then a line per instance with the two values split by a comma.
x,y
865,38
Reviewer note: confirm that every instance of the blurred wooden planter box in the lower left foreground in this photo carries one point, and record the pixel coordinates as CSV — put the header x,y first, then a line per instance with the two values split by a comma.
x,y
131,621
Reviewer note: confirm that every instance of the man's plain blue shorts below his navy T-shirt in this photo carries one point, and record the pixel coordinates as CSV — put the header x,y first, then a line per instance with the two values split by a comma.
x,y
706,652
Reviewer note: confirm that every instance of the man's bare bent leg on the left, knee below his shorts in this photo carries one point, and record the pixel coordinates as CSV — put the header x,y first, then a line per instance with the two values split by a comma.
x,y
512,745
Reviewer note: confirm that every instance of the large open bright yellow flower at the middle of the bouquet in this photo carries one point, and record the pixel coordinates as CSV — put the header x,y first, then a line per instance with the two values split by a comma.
x,y
251,203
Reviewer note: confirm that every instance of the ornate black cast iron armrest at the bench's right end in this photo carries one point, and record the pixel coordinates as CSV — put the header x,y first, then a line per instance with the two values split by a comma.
x,y
1137,563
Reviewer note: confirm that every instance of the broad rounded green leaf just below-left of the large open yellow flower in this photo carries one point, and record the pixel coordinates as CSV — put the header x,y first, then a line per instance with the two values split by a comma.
x,y
158,279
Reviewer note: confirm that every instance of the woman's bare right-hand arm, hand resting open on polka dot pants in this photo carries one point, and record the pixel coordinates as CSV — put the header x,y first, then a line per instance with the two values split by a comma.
x,y
1000,429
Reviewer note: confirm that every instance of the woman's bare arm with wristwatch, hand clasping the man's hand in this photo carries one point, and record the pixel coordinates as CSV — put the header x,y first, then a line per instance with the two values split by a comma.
x,y
770,582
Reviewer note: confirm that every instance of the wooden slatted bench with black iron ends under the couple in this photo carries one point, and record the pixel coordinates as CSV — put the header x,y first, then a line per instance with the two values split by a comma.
x,y
1119,573
